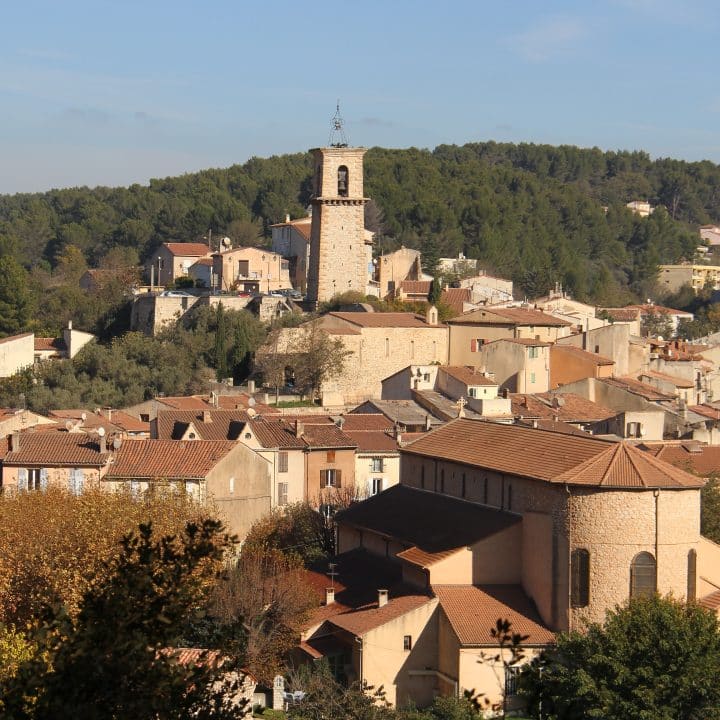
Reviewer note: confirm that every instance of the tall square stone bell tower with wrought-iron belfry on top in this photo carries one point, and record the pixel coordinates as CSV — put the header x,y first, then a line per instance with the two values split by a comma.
x,y
339,249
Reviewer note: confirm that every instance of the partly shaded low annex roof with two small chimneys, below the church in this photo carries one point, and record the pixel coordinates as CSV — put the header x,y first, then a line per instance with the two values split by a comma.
x,y
359,576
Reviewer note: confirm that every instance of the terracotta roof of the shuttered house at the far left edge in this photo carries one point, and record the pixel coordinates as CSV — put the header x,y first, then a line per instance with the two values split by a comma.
x,y
57,448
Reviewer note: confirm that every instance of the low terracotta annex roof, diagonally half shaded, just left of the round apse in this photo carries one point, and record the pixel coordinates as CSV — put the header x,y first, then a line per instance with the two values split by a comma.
x,y
472,611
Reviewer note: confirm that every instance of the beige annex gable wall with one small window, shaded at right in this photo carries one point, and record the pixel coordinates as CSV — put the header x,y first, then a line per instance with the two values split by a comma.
x,y
386,663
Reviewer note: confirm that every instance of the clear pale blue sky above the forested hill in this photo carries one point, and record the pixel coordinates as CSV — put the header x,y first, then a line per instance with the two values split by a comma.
x,y
117,91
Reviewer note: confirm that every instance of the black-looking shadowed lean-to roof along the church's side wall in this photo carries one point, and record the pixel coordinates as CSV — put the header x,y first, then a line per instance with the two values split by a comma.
x,y
432,522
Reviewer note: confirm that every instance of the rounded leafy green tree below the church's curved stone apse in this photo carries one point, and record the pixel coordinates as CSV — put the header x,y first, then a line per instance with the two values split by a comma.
x,y
653,659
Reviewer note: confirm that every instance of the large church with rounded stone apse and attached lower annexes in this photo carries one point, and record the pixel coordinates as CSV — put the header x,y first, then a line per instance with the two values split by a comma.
x,y
492,521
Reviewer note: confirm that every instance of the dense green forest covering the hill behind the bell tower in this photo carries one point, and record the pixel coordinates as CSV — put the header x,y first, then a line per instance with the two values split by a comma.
x,y
535,213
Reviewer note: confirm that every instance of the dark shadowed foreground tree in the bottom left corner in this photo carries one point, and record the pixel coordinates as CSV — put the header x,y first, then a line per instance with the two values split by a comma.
x,y
113,660
